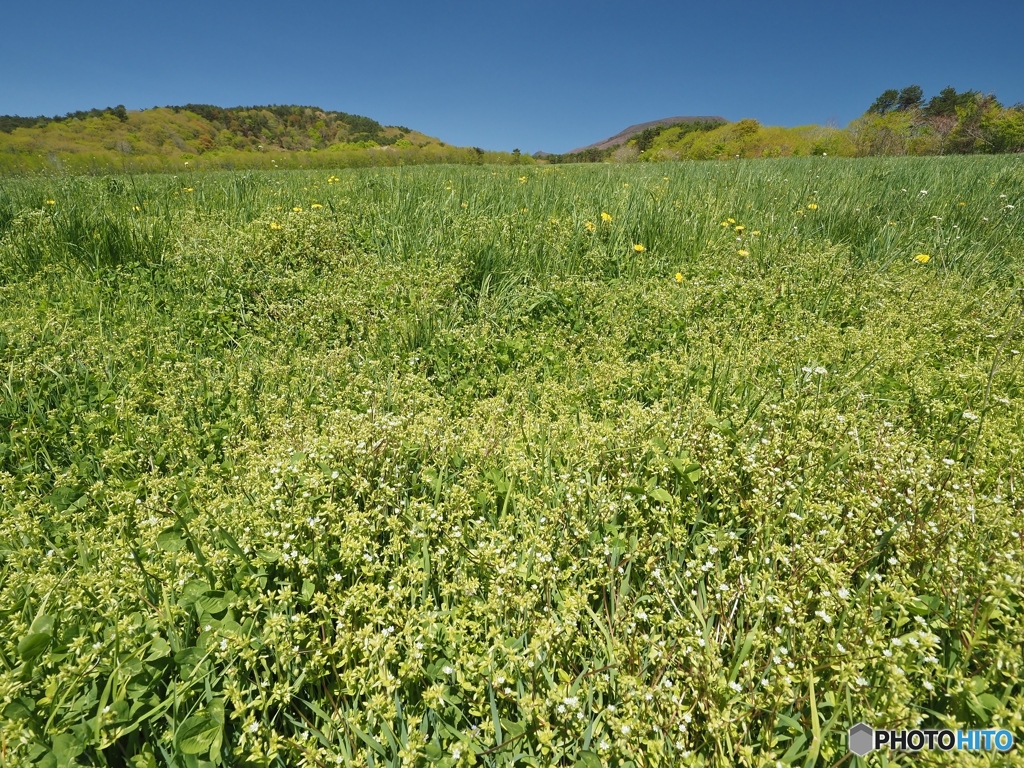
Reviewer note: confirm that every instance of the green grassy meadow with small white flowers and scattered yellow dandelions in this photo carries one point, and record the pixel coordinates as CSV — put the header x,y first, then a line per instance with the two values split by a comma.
x,y
691,464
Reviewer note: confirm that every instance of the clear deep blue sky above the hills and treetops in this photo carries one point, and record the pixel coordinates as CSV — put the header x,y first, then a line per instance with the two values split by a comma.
x,y
531,75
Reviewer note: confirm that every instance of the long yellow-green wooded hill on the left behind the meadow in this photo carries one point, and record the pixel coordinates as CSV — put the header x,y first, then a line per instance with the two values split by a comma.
x,y
208,137
